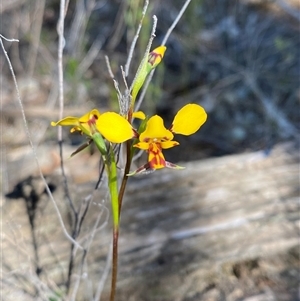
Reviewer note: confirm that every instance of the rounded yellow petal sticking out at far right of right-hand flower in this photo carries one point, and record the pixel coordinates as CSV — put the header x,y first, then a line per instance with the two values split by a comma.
x,y
188,119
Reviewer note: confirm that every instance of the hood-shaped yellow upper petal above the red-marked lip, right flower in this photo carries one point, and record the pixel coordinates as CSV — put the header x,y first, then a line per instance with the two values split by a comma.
x,y
155,129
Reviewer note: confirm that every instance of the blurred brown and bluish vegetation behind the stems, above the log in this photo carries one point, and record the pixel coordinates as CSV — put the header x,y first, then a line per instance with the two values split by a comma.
x,y
239,59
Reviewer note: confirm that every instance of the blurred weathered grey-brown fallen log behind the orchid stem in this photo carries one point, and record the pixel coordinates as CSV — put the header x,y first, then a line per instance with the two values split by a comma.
x,y
222,229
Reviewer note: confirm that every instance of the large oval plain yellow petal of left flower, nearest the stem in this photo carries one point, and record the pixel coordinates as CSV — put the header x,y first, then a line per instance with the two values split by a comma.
x,y
114,127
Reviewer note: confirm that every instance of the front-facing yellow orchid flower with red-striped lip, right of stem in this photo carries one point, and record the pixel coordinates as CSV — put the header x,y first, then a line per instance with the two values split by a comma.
x,y
156,137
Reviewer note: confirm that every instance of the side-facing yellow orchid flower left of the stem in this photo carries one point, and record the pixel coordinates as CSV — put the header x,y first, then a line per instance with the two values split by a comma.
x,y
110,125
